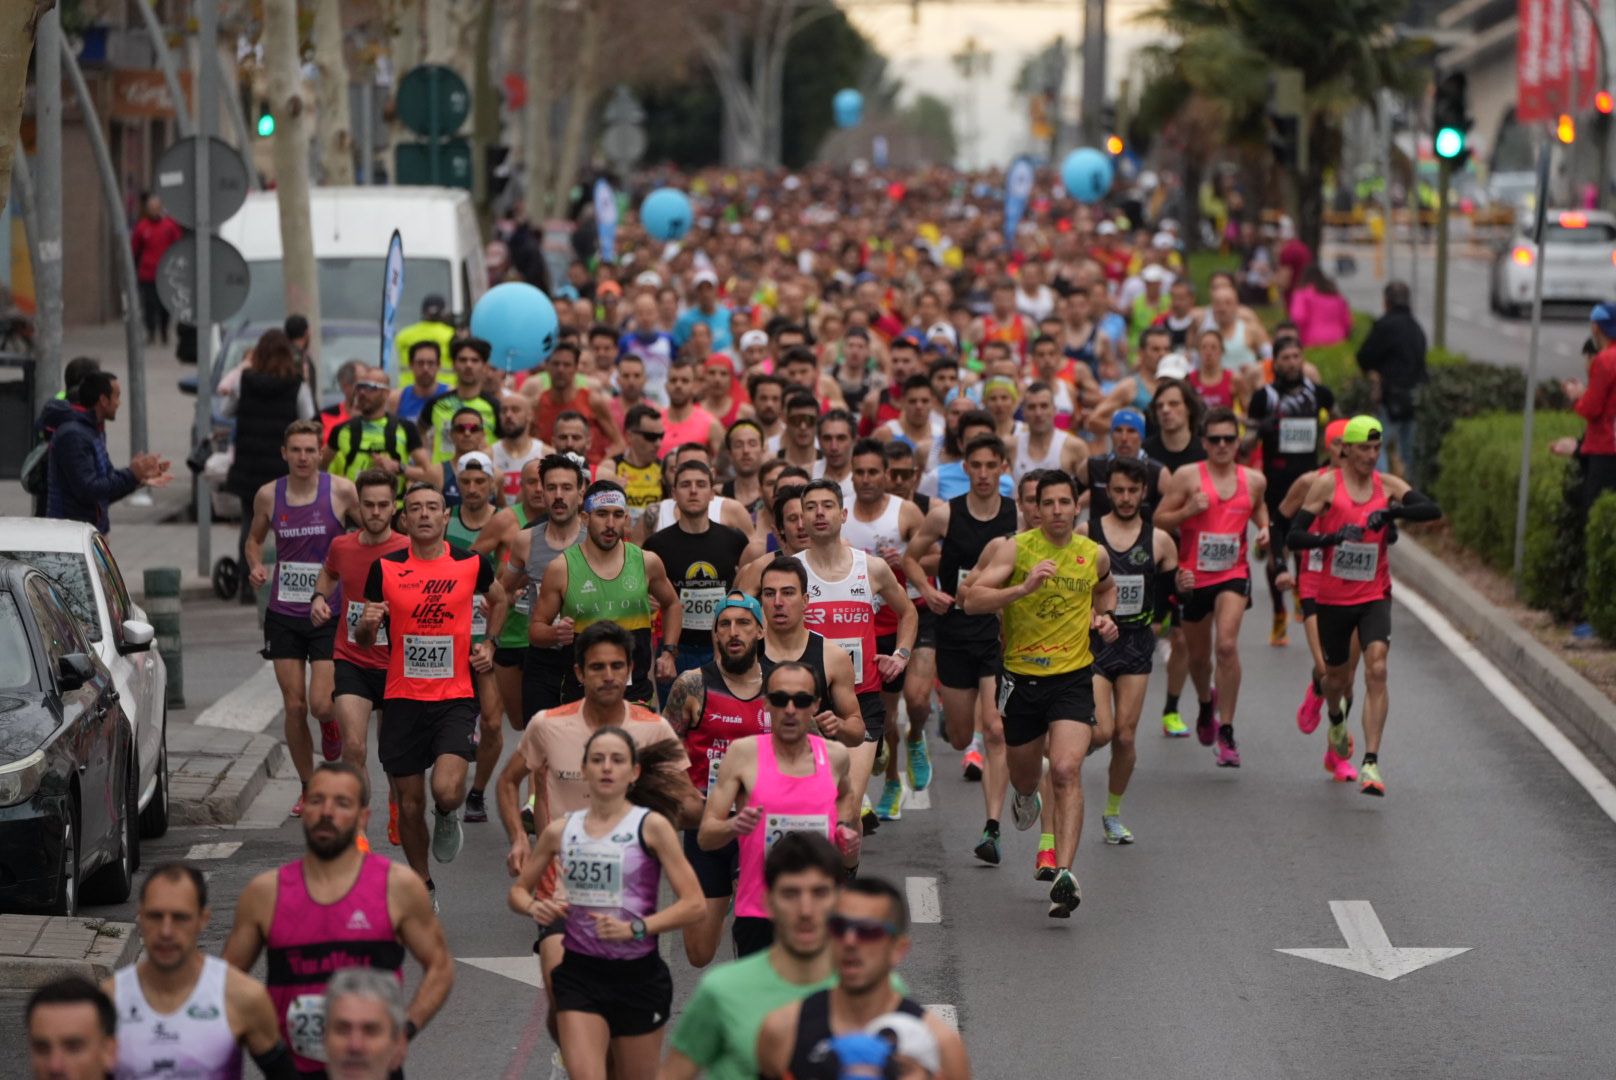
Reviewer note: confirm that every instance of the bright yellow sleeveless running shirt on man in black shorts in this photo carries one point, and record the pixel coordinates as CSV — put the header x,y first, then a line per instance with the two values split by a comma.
x,y
1048,633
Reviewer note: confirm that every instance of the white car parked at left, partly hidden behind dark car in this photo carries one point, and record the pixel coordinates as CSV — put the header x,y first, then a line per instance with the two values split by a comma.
x,y
82,563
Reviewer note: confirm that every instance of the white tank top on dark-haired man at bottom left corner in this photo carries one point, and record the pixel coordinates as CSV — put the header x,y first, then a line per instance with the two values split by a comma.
x,y
195,1042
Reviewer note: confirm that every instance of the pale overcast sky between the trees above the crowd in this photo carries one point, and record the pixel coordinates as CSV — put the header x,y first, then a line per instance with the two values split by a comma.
x,y
919,54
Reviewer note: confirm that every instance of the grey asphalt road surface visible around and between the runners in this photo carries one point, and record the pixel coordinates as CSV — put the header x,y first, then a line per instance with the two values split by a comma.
x,y
1172,968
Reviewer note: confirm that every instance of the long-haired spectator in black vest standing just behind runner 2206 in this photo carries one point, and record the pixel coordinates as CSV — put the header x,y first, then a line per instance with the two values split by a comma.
x,y
267,399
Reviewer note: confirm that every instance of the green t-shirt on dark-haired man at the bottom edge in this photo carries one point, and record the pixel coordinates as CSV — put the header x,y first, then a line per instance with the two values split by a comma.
x,y
720,1026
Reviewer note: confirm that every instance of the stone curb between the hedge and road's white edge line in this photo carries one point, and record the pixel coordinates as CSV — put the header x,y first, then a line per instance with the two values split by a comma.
x,y
1538,672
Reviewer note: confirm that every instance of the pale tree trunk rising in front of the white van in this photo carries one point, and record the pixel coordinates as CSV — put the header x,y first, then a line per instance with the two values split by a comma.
x,y
292,162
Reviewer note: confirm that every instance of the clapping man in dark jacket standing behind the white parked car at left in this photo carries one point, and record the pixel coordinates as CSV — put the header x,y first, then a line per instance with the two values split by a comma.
x,y
83,483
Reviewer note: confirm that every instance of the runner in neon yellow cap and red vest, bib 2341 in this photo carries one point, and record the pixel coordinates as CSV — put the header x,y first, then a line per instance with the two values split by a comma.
x,y
1355,508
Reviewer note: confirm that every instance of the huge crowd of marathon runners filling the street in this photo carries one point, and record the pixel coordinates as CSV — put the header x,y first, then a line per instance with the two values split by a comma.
x,y
840,476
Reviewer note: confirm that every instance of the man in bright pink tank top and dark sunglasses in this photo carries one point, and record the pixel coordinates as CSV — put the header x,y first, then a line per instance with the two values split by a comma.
x,y
785,782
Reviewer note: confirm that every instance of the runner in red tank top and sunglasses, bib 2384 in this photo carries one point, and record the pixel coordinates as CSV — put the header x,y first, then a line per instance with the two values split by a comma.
x,y
1213,504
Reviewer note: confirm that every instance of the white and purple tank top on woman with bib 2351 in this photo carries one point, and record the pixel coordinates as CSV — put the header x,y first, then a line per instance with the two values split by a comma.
x,y
612,874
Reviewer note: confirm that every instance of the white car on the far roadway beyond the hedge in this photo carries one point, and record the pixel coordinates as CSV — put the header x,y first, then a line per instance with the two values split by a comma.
x,y
1580,251
